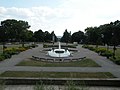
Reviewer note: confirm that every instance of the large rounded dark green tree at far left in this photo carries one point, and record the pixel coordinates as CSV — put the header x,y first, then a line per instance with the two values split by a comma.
x,y
16,30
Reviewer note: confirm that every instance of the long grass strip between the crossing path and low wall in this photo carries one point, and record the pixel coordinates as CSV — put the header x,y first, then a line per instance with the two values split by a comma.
x,y
57,74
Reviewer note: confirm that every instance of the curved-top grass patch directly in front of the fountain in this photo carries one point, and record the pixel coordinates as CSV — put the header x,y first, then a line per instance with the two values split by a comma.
x,y
82,63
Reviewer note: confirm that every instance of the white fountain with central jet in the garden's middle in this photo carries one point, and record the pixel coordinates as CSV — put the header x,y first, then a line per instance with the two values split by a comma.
x,y
59,52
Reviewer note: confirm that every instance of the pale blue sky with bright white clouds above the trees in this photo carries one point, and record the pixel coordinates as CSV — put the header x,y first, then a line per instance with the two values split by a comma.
x,y
58,15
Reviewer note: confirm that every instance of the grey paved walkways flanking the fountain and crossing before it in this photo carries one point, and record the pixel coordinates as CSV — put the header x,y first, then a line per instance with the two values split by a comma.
x,y
107,65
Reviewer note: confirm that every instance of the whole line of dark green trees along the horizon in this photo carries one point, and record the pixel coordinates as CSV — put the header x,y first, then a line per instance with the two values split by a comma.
x,y
12,30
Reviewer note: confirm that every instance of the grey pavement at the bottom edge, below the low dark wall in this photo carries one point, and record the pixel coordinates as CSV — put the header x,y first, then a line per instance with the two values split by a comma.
x,y
31,87
